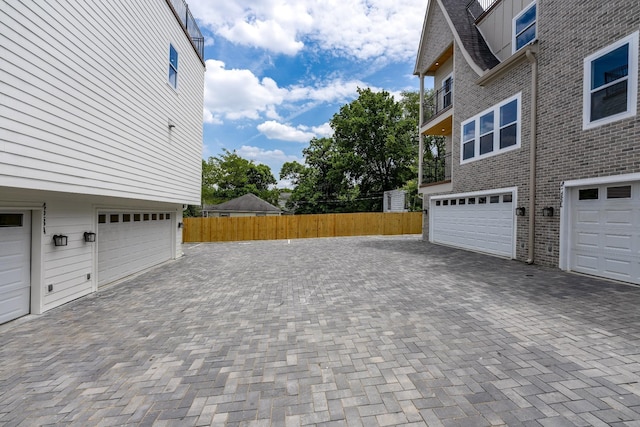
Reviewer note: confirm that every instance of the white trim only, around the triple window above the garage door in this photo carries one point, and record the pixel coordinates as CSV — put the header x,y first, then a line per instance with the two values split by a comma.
x,y
496,131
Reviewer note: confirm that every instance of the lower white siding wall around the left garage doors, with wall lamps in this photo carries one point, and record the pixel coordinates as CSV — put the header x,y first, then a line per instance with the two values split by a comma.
x,y
66,267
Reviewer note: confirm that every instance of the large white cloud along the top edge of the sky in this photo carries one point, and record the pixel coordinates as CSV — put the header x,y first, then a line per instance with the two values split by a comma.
x,y
363,29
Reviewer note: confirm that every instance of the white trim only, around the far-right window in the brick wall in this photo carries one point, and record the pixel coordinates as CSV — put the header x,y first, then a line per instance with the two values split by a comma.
x,y
632,86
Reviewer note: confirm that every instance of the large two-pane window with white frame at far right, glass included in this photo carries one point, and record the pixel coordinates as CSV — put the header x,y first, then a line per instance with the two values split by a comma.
x,y
611,83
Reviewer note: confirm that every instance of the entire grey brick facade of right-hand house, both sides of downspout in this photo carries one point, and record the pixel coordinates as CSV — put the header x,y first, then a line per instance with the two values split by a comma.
x,y
568,32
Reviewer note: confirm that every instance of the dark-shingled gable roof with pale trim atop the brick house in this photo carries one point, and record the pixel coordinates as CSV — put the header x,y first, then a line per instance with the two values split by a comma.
x,y
473,46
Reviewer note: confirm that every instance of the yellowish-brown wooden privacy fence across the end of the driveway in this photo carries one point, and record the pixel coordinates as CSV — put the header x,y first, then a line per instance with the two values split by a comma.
x,y
299,226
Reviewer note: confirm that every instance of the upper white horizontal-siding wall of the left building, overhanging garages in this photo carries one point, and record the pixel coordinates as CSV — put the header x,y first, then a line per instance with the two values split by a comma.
x,y
88,111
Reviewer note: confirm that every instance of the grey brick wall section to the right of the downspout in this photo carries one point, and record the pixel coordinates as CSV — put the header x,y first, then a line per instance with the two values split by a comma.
x,y
565,151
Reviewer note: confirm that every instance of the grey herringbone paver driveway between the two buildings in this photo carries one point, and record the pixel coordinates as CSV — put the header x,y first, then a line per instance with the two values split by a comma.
x,y
335,332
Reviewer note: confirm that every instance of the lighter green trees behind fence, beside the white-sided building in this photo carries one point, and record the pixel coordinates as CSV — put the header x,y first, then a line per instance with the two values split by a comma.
x,y
228,176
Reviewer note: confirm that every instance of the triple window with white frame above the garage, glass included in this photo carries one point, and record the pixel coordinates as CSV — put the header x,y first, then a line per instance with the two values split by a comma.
x,y
491,132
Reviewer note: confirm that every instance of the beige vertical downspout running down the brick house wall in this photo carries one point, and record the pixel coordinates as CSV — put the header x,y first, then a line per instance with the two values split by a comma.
x,y
532,154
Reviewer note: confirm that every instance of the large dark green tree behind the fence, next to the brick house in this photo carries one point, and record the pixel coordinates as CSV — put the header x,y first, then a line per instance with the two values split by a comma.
x,y
374,148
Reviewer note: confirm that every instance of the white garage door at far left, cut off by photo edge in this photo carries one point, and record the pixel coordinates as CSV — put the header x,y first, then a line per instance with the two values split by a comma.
x,y
15,265
